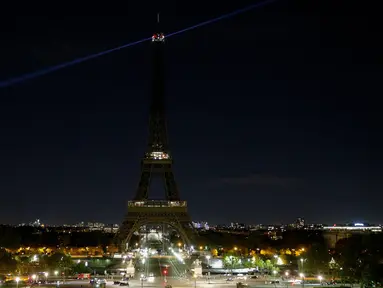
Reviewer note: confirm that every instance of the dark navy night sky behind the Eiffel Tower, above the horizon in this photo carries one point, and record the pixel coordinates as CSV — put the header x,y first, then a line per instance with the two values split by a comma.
x,y
270,113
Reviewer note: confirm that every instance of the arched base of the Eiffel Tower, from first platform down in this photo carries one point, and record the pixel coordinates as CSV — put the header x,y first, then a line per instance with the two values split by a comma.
x,y
140,213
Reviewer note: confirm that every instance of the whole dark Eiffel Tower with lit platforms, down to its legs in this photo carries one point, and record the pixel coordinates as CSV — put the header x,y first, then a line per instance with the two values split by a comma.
x,y
157,162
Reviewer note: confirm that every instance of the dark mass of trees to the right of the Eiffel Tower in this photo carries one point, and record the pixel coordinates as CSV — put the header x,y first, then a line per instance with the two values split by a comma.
x,y
358,258
